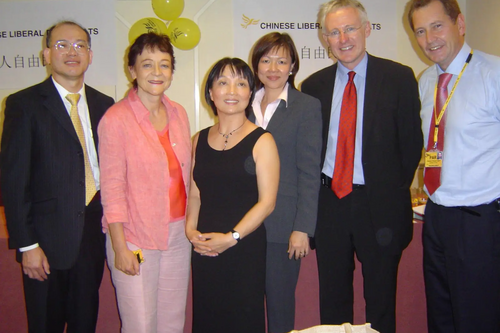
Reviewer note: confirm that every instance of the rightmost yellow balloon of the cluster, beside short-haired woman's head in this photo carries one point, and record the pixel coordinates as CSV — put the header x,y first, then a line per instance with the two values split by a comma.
x,y
184,33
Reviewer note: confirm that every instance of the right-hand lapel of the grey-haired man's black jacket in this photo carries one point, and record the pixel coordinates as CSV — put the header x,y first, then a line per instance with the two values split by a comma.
x,y
374,80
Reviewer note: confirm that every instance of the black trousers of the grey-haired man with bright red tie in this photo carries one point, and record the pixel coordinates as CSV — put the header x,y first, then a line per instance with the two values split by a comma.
x,y
344,228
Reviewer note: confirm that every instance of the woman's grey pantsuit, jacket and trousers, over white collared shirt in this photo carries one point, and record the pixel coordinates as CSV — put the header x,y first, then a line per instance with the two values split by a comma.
x,y
296,129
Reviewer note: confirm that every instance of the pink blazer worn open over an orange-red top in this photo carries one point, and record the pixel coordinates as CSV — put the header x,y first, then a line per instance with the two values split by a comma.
x,y
134,169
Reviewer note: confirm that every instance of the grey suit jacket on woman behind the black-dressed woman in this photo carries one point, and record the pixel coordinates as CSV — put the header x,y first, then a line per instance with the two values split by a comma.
x,y
297,132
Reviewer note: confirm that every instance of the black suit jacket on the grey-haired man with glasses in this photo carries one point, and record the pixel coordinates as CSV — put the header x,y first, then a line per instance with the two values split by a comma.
x,y
392,142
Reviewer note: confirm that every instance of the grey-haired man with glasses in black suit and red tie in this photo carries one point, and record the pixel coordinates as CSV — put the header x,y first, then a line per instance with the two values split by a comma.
x,y
372,145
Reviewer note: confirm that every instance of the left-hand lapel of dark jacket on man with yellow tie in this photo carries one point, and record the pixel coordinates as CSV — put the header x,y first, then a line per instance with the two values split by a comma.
x,y
55,106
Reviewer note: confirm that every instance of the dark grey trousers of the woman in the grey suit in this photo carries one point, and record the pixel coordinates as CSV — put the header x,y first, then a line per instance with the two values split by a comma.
x,y
282,275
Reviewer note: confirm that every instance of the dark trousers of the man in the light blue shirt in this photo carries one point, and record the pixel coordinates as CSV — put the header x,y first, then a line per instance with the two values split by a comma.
x,y
462,268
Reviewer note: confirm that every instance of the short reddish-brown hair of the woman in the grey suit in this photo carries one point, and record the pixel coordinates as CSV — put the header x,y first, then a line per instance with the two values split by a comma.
x,y
275,41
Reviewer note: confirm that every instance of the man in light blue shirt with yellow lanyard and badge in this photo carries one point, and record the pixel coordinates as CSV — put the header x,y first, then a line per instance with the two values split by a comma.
x,y
461,123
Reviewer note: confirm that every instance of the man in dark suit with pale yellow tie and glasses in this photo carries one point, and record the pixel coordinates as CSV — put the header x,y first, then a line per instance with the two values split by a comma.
x,y
50,187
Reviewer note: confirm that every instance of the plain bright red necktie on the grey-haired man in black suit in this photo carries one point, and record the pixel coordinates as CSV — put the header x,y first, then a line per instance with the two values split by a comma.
x,y
344,158
